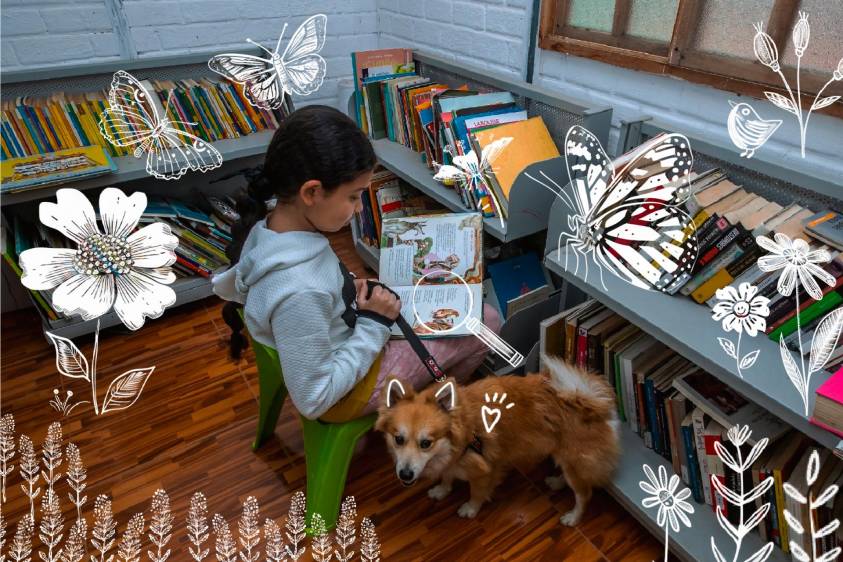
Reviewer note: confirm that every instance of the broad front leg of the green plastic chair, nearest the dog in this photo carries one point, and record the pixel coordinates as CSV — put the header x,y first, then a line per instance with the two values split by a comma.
x,y
328,450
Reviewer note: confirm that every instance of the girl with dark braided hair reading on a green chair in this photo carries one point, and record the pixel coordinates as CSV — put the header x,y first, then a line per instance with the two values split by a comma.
x,y
297,295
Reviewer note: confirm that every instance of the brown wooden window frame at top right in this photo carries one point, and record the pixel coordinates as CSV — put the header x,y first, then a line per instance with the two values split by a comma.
x,y
677,58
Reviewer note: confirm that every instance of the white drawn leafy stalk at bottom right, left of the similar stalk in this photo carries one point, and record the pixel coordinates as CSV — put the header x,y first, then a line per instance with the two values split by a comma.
x,y
739,435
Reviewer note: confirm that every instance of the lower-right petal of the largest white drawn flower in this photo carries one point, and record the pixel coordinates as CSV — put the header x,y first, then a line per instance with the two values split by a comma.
x,y
139,296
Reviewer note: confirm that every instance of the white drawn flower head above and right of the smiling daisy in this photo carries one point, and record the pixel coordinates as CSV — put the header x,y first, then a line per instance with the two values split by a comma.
x,y
796,259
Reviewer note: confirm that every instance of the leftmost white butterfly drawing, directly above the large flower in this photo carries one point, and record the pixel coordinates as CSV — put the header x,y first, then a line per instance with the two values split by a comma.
x,y
132,119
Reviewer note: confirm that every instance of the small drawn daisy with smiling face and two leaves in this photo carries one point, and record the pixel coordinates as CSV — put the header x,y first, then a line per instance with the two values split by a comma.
x,y
742,311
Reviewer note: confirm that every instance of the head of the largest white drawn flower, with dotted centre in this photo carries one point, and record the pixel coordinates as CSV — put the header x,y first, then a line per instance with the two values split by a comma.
x,y
129,271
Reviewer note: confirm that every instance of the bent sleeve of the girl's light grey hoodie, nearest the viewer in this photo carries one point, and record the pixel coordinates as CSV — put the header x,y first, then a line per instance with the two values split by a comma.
x,y
315,376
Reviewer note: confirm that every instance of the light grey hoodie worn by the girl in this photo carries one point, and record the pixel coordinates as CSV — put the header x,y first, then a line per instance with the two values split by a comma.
x,y
291,287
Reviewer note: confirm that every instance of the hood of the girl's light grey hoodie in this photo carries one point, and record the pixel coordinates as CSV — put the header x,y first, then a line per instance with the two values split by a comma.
x,y
267,251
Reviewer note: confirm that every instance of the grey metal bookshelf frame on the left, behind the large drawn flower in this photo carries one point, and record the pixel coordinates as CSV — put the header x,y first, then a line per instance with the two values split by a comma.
x,y
88,78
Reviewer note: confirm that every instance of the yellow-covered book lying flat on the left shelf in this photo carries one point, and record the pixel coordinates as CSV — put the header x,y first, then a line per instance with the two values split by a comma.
x,y
63,166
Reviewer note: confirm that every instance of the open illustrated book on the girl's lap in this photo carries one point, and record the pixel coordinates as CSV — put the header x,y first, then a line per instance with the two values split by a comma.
x,y
426,248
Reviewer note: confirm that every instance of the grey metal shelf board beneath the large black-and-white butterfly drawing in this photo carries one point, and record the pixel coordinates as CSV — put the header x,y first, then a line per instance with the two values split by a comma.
x,y
688,329
